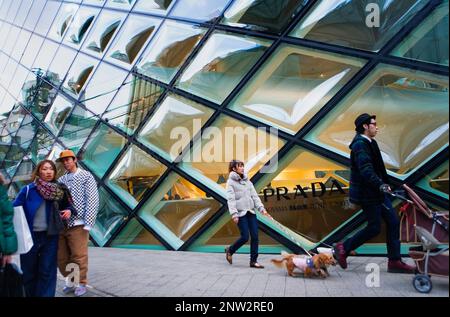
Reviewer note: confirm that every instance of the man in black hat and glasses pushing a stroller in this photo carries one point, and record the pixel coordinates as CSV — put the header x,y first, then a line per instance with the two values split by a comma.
x,y
368,188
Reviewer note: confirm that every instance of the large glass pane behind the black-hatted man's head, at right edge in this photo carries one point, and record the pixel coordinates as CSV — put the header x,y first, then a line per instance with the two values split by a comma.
x,y
406,141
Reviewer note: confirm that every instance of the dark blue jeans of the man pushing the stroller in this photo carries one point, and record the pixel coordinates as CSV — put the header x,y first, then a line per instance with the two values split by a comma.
x,y
374,213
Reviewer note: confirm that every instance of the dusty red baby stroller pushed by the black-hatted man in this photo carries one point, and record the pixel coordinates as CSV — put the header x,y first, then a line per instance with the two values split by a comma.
x,y
419,224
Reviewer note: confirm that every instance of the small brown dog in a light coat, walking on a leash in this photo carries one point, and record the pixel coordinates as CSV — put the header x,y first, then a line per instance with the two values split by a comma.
x,y
317,265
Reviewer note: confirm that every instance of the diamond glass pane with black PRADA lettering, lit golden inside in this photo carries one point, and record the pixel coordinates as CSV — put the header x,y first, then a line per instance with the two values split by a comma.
x,y
308,194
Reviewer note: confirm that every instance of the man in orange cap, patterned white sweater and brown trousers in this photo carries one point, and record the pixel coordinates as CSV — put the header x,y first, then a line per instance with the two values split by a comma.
x,y
73,242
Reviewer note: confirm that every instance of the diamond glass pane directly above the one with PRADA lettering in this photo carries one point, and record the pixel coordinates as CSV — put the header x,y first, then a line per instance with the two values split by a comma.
x,y
294,85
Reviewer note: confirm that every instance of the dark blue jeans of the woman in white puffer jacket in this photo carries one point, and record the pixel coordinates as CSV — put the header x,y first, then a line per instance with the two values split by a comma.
x,y
247,224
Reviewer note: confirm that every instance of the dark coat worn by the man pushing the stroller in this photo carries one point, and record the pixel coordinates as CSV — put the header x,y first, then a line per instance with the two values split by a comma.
x,y
368,172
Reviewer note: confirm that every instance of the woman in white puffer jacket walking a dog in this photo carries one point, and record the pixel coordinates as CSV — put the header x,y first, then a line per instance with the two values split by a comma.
x,y
243,201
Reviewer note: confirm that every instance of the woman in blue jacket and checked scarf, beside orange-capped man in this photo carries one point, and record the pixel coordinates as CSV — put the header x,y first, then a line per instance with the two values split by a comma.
x,y
46,204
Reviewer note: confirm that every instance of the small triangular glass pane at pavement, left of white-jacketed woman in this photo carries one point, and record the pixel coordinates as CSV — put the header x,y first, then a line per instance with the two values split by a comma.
x,y
135,235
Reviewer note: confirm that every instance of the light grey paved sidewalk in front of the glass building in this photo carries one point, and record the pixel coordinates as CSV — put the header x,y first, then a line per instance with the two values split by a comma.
x,y
139,273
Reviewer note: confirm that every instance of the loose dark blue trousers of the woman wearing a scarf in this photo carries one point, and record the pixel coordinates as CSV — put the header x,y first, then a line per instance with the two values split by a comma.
x,y
39,266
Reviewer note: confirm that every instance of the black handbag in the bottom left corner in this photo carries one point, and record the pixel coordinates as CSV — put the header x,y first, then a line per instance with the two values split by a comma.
x,y
11,281
